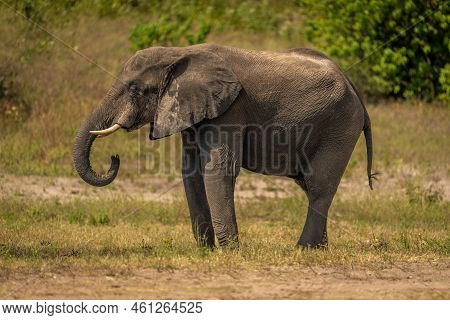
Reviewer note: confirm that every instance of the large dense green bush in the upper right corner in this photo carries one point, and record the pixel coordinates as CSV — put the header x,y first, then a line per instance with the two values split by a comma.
x,y
401,62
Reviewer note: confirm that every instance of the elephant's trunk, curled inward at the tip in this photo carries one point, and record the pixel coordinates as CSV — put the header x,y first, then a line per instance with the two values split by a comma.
x,y
82,149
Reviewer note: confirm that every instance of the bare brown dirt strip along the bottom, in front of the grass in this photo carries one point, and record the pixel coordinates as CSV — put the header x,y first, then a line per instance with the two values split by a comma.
x,y
412,281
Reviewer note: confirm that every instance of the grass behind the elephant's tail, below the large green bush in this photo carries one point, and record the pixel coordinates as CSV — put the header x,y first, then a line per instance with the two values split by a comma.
x,y
406,136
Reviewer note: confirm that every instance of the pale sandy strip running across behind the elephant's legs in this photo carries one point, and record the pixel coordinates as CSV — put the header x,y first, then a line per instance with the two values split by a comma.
x,y
159,189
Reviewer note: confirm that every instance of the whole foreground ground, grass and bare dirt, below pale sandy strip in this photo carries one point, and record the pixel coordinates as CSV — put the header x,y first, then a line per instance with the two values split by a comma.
x,y
393,247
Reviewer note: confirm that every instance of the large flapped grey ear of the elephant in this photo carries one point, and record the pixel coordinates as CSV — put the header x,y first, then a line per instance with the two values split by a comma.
x,y
198,86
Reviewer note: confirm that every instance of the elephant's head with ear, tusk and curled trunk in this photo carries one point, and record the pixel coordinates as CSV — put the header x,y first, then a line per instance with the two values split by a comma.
x,y
170,88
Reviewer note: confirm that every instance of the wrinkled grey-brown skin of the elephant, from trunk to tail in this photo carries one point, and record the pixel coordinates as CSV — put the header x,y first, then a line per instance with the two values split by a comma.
x,y
197,90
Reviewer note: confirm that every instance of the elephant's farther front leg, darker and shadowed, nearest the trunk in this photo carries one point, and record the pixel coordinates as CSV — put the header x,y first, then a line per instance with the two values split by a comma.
x,y
196,195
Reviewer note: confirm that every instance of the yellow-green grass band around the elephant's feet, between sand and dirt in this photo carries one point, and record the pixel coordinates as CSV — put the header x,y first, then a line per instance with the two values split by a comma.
x,y
121,234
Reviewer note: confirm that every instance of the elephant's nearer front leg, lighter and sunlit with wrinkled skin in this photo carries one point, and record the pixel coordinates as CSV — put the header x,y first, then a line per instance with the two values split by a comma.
x,y
220,174
